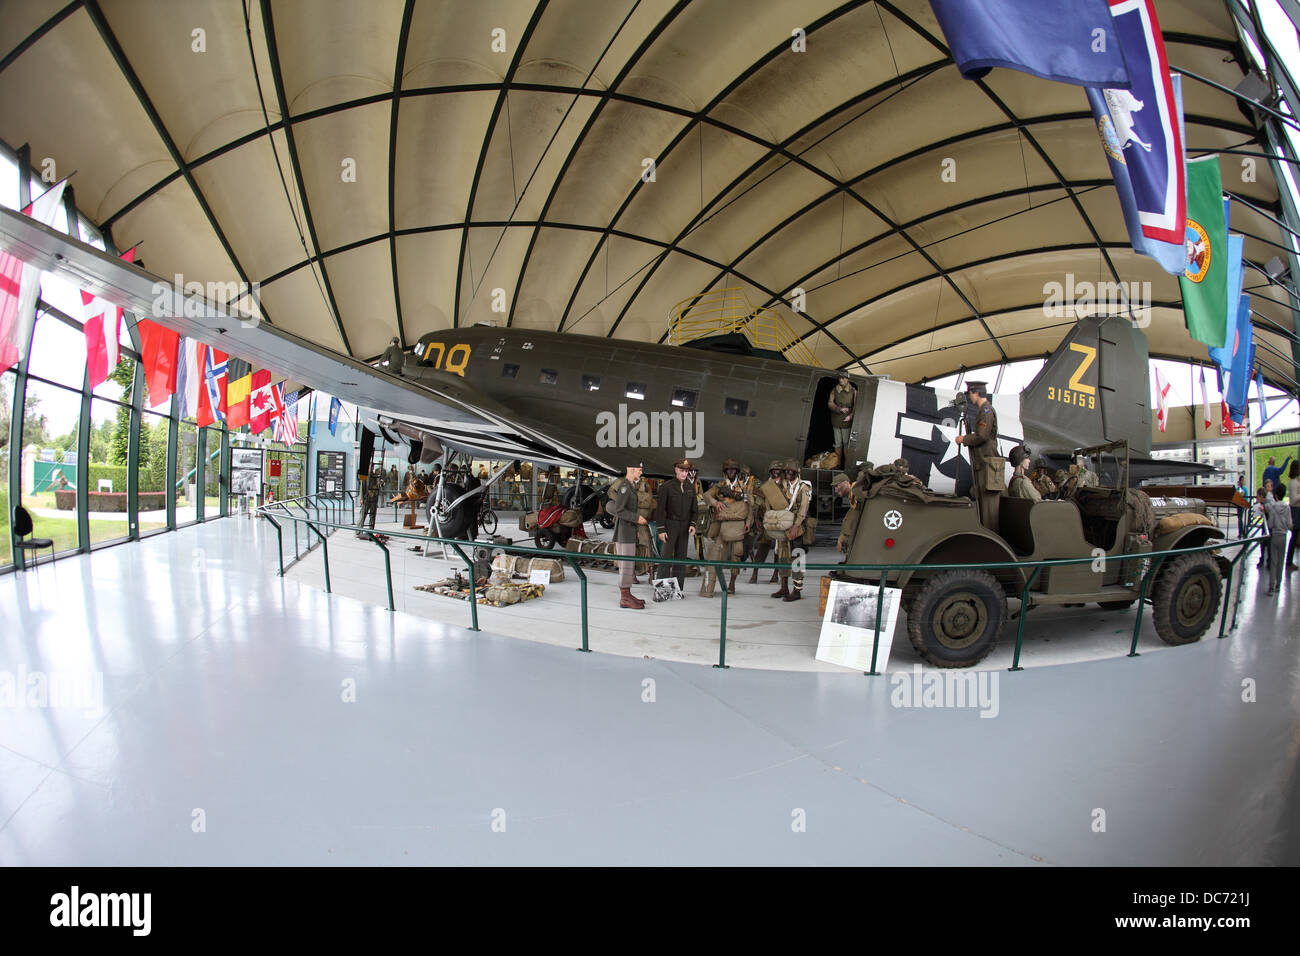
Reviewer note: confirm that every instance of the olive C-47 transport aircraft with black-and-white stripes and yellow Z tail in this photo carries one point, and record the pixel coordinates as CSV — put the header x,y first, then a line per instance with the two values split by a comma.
x,y
595,404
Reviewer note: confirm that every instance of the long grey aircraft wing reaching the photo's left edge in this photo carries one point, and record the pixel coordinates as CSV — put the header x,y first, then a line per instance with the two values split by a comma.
x,y
437,405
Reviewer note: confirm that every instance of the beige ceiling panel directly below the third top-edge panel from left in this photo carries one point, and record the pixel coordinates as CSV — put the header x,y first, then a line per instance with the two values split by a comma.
x,y
335,149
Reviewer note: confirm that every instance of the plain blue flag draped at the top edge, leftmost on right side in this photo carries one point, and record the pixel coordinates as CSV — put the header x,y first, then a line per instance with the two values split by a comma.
x,y
1071,42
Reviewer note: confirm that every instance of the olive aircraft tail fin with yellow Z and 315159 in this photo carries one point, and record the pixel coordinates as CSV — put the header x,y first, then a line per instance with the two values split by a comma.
x,y
1093,390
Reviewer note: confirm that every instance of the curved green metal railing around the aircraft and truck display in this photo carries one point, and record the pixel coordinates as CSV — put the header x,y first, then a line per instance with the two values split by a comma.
x,y
1154,560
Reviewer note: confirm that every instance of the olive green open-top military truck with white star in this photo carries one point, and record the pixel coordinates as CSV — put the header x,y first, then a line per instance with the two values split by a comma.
x,y
955,617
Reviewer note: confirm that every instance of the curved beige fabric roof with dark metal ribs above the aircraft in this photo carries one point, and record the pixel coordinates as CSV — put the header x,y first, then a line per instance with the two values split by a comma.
x,y
385,168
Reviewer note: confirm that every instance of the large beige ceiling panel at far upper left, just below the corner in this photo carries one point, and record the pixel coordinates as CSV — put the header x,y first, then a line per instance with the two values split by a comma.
x,y
68,100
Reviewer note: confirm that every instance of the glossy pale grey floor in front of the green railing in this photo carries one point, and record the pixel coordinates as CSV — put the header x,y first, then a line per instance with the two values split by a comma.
x,y
222,736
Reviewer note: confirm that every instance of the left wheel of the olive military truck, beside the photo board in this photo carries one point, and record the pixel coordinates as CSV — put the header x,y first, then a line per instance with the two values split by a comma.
x,y
957,617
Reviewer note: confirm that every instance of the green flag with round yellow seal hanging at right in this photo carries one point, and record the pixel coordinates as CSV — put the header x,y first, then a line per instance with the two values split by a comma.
x,y
1204,283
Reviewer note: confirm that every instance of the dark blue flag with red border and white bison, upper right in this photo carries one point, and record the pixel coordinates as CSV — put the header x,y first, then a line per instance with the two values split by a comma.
x,y
1142,133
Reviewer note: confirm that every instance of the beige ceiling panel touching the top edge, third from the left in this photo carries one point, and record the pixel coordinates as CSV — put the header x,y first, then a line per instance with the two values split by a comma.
x,y
333,51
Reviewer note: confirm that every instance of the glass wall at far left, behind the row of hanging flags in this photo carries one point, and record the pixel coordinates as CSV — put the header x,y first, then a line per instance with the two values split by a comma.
x,y
70,457
